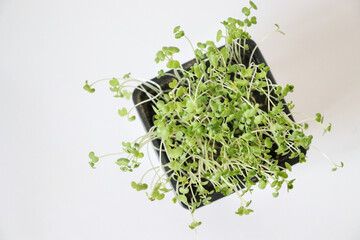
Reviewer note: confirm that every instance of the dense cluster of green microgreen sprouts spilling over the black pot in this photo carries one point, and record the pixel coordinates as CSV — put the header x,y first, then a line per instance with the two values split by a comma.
x,y
223,123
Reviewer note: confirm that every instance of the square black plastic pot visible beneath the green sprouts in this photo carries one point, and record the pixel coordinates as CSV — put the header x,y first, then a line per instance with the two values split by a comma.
x,y
147,113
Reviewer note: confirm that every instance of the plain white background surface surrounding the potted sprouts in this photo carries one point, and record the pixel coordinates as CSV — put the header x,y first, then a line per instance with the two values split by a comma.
x,y
49,124
